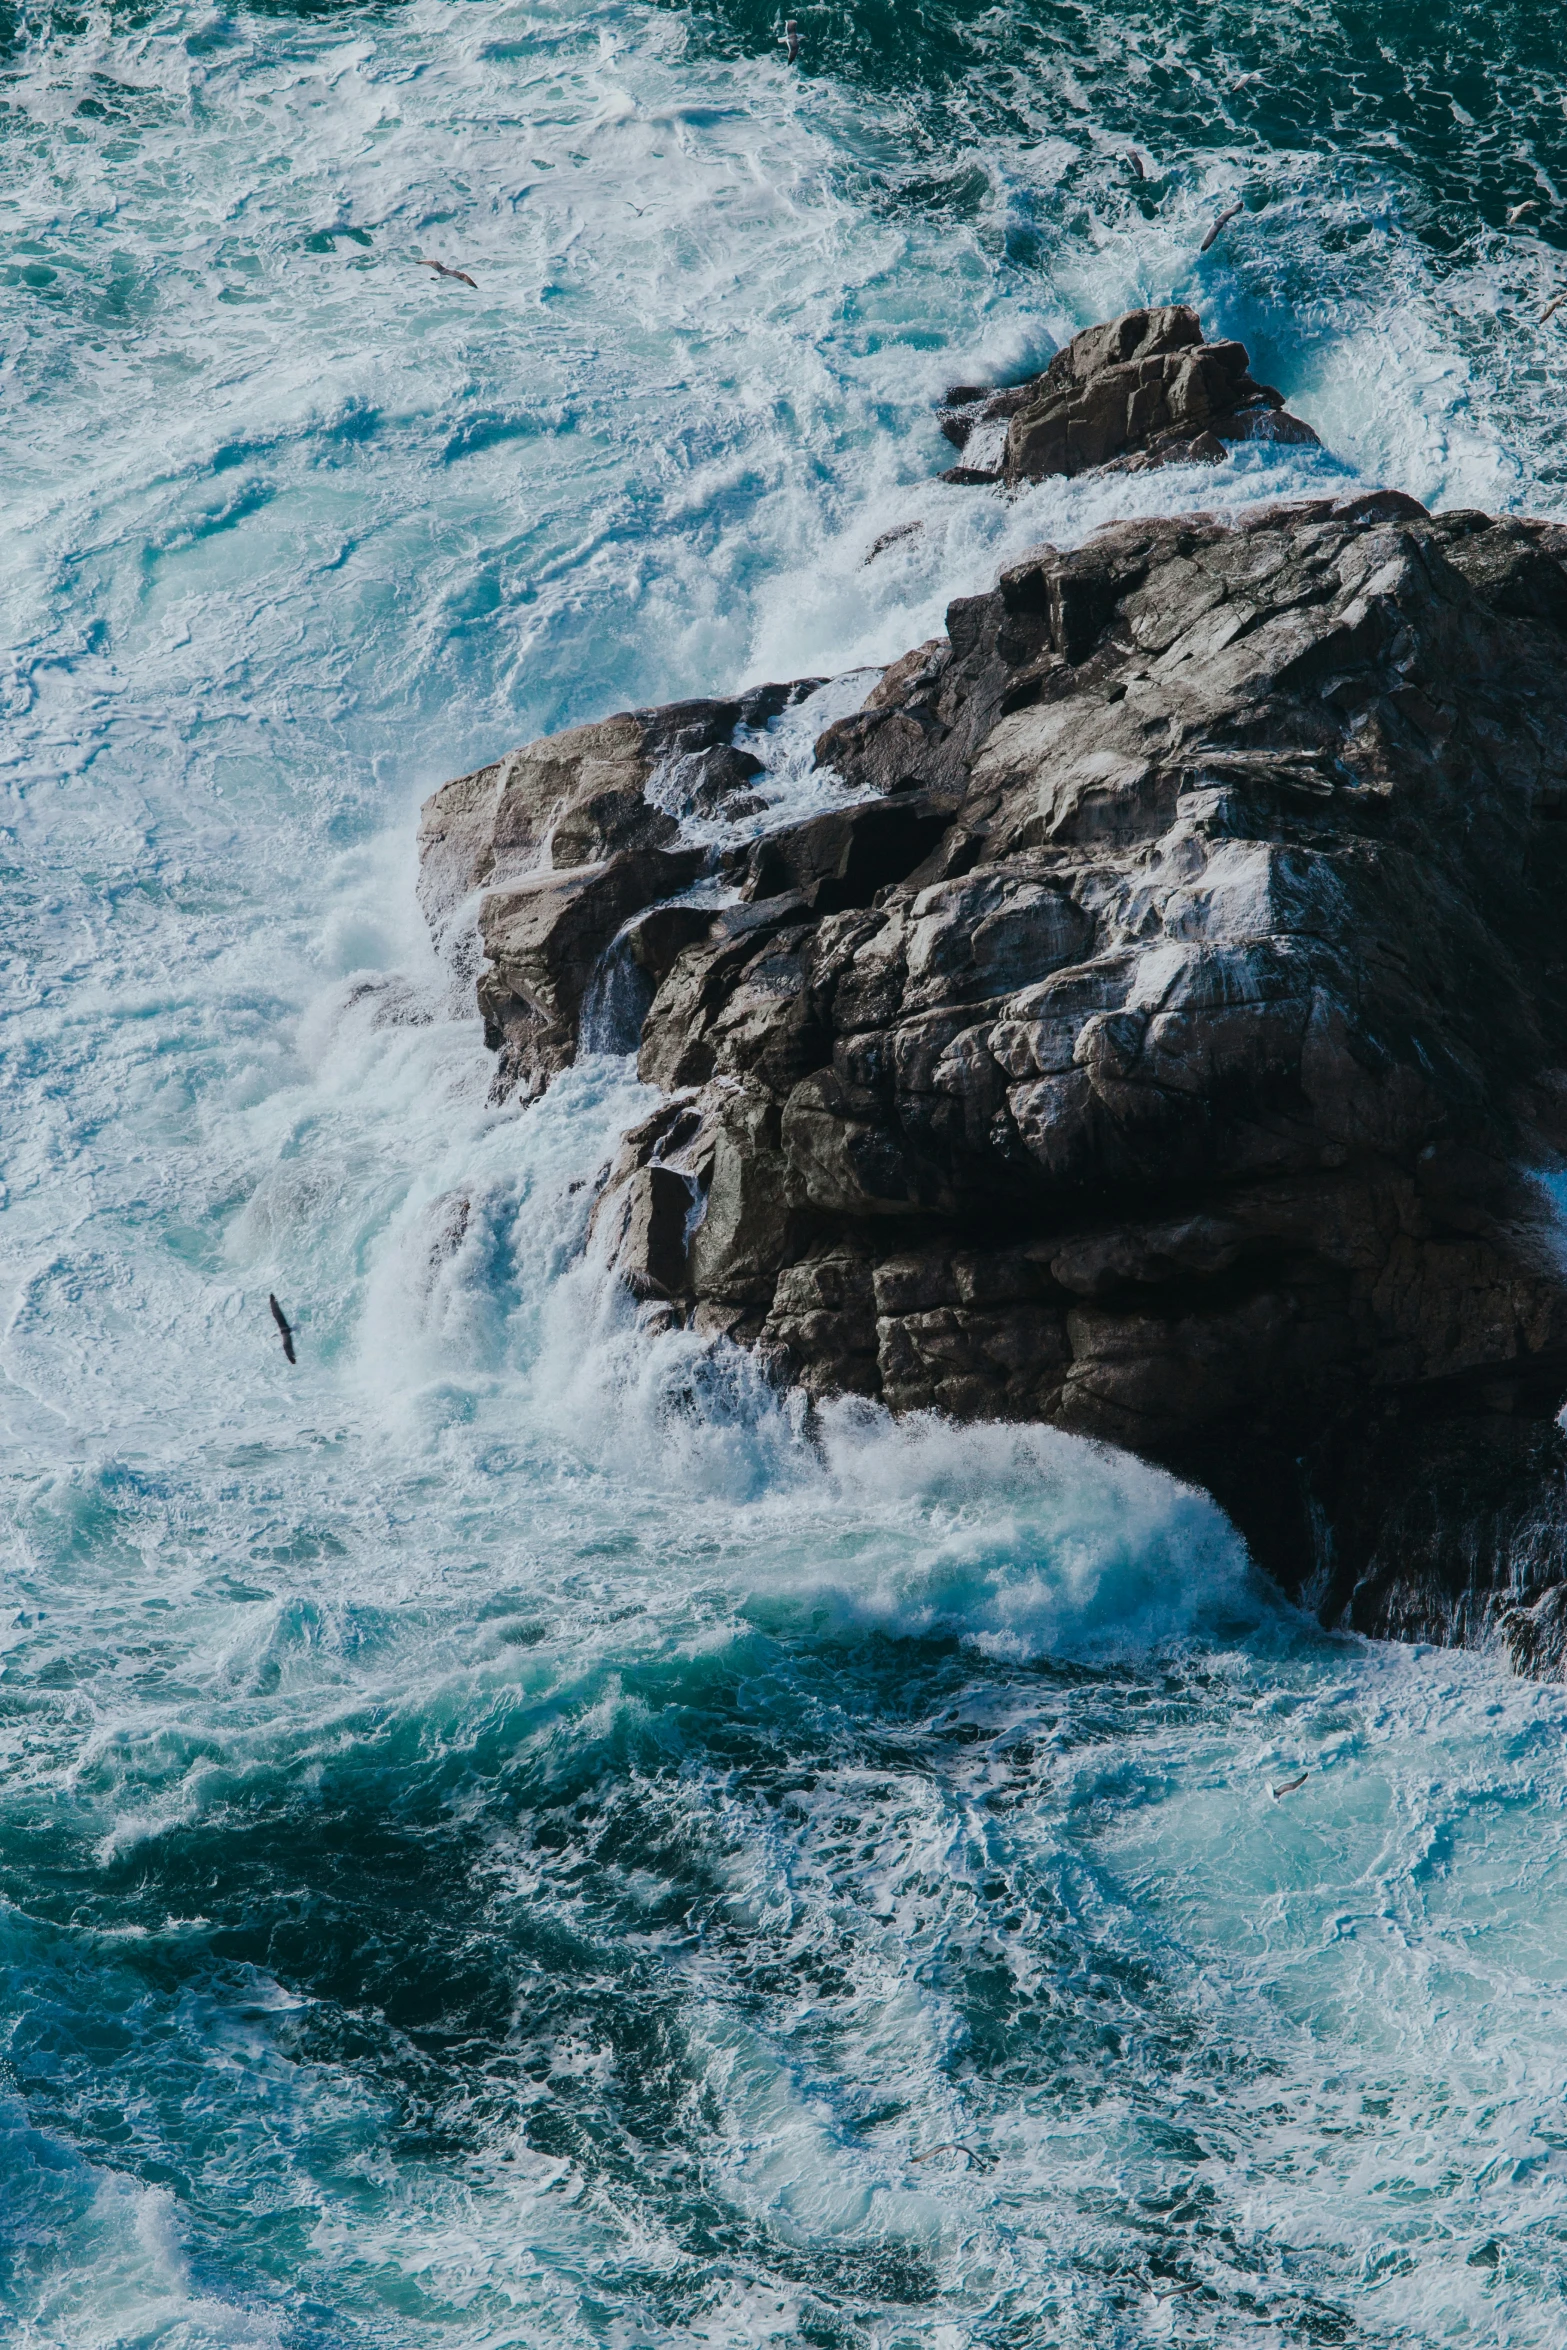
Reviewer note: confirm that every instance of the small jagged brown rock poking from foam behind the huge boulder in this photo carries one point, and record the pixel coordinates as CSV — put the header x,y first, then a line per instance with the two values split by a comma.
x,y
1143,391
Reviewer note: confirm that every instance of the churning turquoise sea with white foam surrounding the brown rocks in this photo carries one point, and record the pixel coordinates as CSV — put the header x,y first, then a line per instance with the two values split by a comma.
x,y
511,1834
